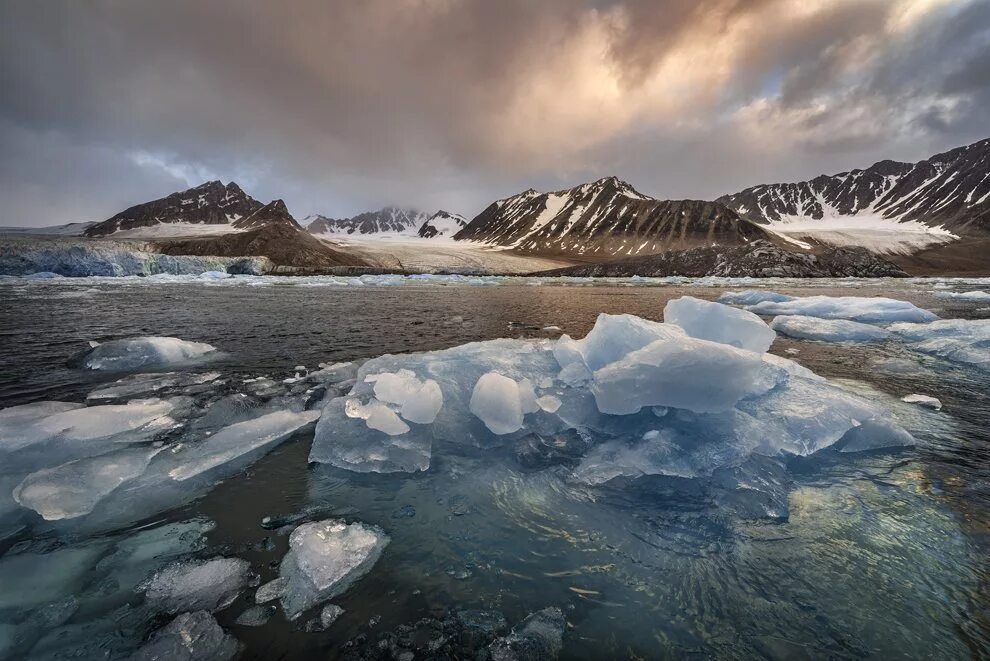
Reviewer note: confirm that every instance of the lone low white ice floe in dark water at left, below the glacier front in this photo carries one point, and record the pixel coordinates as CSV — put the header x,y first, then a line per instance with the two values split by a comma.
x,y
138,353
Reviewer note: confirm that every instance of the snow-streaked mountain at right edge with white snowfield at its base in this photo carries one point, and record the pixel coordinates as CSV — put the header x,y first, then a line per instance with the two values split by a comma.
x,y
950,191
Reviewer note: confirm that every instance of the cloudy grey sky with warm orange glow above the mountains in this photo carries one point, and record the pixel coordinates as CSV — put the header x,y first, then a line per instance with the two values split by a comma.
x,y
342,106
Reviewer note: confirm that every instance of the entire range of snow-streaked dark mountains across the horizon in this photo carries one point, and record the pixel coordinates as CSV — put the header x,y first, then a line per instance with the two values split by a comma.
x,y
935,212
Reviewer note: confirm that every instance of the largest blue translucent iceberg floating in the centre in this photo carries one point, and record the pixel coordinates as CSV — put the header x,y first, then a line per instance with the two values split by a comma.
x,y
652,401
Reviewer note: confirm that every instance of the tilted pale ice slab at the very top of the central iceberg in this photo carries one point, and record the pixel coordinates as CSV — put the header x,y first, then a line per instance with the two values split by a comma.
x,y
719,323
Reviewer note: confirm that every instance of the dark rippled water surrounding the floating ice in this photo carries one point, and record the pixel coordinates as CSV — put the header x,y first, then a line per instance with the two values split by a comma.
x,y
882,556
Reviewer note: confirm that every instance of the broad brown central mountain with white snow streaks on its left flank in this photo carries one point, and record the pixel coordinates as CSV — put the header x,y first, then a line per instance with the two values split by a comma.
x,y
604,218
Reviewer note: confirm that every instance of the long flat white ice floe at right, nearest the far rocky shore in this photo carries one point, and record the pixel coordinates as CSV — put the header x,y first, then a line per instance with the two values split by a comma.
x,y
854,308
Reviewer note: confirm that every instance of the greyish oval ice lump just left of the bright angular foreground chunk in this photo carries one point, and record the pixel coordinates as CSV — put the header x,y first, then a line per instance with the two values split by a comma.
x,y
209,585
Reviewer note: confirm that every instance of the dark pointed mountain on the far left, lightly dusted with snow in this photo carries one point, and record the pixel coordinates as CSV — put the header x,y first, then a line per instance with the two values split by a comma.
x,y
212,203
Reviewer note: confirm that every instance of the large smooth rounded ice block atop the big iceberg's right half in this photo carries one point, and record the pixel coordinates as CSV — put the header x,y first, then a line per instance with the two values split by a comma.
x,y
680,372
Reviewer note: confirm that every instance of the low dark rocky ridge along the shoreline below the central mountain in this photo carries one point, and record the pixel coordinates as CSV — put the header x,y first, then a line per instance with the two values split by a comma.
x,y
759,259
